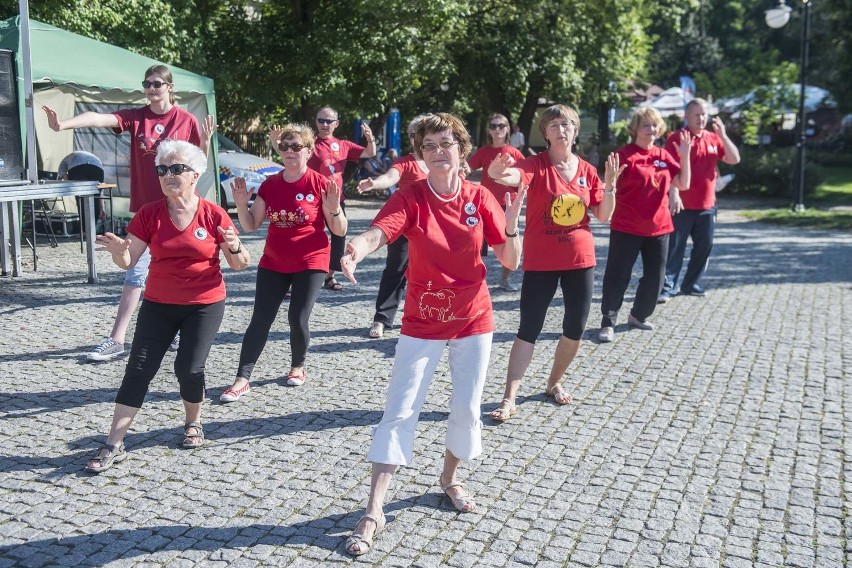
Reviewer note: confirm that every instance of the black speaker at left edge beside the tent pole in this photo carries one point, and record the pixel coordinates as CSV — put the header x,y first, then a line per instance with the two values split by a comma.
x,y
11,156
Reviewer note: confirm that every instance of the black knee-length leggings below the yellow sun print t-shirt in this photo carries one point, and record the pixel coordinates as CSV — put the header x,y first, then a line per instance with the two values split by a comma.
x,y
537,291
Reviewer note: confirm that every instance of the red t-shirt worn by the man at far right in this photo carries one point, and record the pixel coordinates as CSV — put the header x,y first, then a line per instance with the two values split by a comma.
x,y
707,150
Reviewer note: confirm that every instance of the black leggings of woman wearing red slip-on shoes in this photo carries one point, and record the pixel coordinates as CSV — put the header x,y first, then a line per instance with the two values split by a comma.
x,y
268,295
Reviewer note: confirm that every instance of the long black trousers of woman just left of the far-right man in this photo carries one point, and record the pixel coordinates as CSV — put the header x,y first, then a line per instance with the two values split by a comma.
x,y
624,248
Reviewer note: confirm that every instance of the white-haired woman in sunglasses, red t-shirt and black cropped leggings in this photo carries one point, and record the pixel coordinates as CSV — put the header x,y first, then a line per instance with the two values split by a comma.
x,y
185,291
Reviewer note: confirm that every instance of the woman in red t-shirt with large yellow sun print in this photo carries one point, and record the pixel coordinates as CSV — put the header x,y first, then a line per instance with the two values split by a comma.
x,y
559,249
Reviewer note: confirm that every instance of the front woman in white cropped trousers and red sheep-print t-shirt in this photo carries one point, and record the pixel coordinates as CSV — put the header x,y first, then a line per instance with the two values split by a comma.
x,y
445,219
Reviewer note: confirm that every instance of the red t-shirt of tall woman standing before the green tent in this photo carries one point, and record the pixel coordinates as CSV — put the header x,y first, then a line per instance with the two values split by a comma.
x,y
147,129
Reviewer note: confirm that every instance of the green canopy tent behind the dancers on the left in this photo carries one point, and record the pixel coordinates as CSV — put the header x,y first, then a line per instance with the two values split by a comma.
x,y
72,74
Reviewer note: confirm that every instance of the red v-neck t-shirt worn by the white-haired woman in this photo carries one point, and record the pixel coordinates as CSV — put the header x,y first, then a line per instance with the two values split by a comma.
x,y
184,264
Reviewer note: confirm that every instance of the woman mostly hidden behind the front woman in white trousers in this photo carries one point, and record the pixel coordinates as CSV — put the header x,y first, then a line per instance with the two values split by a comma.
x,y
406,170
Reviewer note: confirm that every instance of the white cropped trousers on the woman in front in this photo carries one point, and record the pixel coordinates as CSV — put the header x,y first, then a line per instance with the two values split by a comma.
x,y
413,368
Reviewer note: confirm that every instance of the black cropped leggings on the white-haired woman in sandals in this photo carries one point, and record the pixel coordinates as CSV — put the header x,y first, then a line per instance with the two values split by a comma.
x,y
156,327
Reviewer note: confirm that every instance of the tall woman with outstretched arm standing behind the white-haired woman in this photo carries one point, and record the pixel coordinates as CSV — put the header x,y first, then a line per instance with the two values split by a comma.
x,y
148,126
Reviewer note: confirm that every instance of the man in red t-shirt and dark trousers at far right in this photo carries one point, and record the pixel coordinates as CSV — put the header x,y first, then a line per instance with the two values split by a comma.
x,y
698,216
